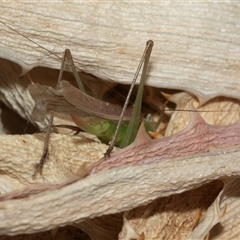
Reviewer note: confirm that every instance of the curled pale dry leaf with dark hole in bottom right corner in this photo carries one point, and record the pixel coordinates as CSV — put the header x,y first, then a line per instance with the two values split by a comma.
x,y
221,220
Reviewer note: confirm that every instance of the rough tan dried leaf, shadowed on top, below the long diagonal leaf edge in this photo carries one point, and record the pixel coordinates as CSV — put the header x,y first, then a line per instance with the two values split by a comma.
x,y
172,217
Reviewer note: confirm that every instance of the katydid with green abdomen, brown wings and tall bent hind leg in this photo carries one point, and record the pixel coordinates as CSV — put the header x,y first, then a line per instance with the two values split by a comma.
x,y
91,115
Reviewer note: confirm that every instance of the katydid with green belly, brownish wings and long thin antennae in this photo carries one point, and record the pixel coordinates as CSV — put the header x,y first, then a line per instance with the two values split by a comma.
x,y
86,119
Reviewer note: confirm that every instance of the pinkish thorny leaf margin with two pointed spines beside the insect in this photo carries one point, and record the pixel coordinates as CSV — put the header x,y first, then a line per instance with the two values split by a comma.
x,y
198,137
